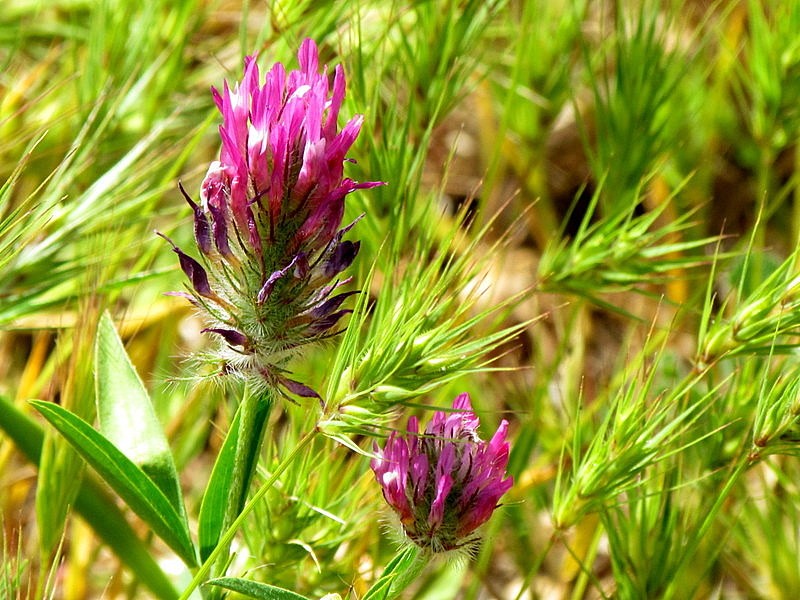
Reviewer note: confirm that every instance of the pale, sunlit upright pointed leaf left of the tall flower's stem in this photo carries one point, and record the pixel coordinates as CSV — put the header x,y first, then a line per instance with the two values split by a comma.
x,y
126,414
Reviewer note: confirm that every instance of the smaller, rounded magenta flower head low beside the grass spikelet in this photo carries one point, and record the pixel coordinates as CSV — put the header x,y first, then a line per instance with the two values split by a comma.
x,y
445,483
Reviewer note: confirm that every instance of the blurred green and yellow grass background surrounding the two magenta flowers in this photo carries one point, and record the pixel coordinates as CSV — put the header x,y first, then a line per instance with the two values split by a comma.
x,y
642,160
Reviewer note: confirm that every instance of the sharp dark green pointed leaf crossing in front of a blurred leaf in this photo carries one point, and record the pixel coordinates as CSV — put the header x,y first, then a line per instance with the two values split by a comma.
x,y
127,479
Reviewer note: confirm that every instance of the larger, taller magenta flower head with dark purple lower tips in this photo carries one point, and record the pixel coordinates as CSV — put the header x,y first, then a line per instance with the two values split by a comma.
x,y
269,224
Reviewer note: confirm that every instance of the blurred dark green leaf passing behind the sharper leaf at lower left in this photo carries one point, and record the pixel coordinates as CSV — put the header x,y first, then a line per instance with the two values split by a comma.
x,y
94,505
